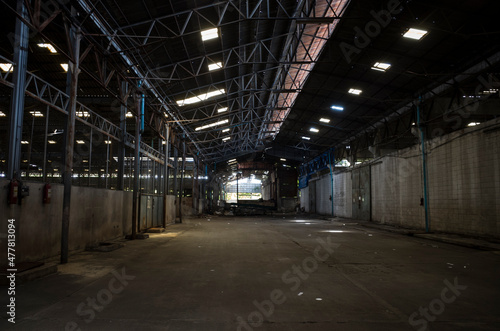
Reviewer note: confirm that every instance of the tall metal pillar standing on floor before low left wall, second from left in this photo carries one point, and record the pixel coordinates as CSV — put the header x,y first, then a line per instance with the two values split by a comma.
x,y
73,70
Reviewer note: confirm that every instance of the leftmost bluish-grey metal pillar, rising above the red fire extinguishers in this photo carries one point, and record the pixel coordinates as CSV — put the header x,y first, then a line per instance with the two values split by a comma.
x,y
17,100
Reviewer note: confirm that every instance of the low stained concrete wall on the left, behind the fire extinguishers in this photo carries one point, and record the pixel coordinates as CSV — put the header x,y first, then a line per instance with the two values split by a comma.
x,y
96,215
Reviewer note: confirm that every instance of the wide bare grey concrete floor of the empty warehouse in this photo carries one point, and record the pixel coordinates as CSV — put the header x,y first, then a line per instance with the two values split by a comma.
x,y
267,273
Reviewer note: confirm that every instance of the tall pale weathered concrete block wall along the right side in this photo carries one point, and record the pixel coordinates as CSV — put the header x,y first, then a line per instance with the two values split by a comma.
x,y
463,170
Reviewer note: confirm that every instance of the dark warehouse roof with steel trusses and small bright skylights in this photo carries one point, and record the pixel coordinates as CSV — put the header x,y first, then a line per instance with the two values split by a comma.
x,y
266,84
